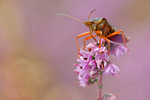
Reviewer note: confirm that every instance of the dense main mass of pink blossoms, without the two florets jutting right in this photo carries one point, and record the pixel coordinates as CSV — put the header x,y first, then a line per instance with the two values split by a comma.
x,y
91,63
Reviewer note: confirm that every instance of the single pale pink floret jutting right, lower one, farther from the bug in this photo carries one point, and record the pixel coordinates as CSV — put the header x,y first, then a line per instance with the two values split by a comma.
x,y
111,70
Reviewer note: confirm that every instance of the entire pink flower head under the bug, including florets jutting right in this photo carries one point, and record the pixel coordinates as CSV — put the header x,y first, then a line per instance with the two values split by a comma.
x,y
94,61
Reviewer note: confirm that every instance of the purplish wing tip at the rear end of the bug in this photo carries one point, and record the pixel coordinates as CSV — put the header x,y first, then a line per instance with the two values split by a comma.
x,y
118,38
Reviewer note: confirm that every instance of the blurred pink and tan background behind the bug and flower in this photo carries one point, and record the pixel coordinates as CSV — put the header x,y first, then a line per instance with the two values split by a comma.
x,y
38,49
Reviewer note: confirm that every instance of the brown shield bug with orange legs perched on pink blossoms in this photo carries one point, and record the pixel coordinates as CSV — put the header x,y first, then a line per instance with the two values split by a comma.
x,y
103,29
